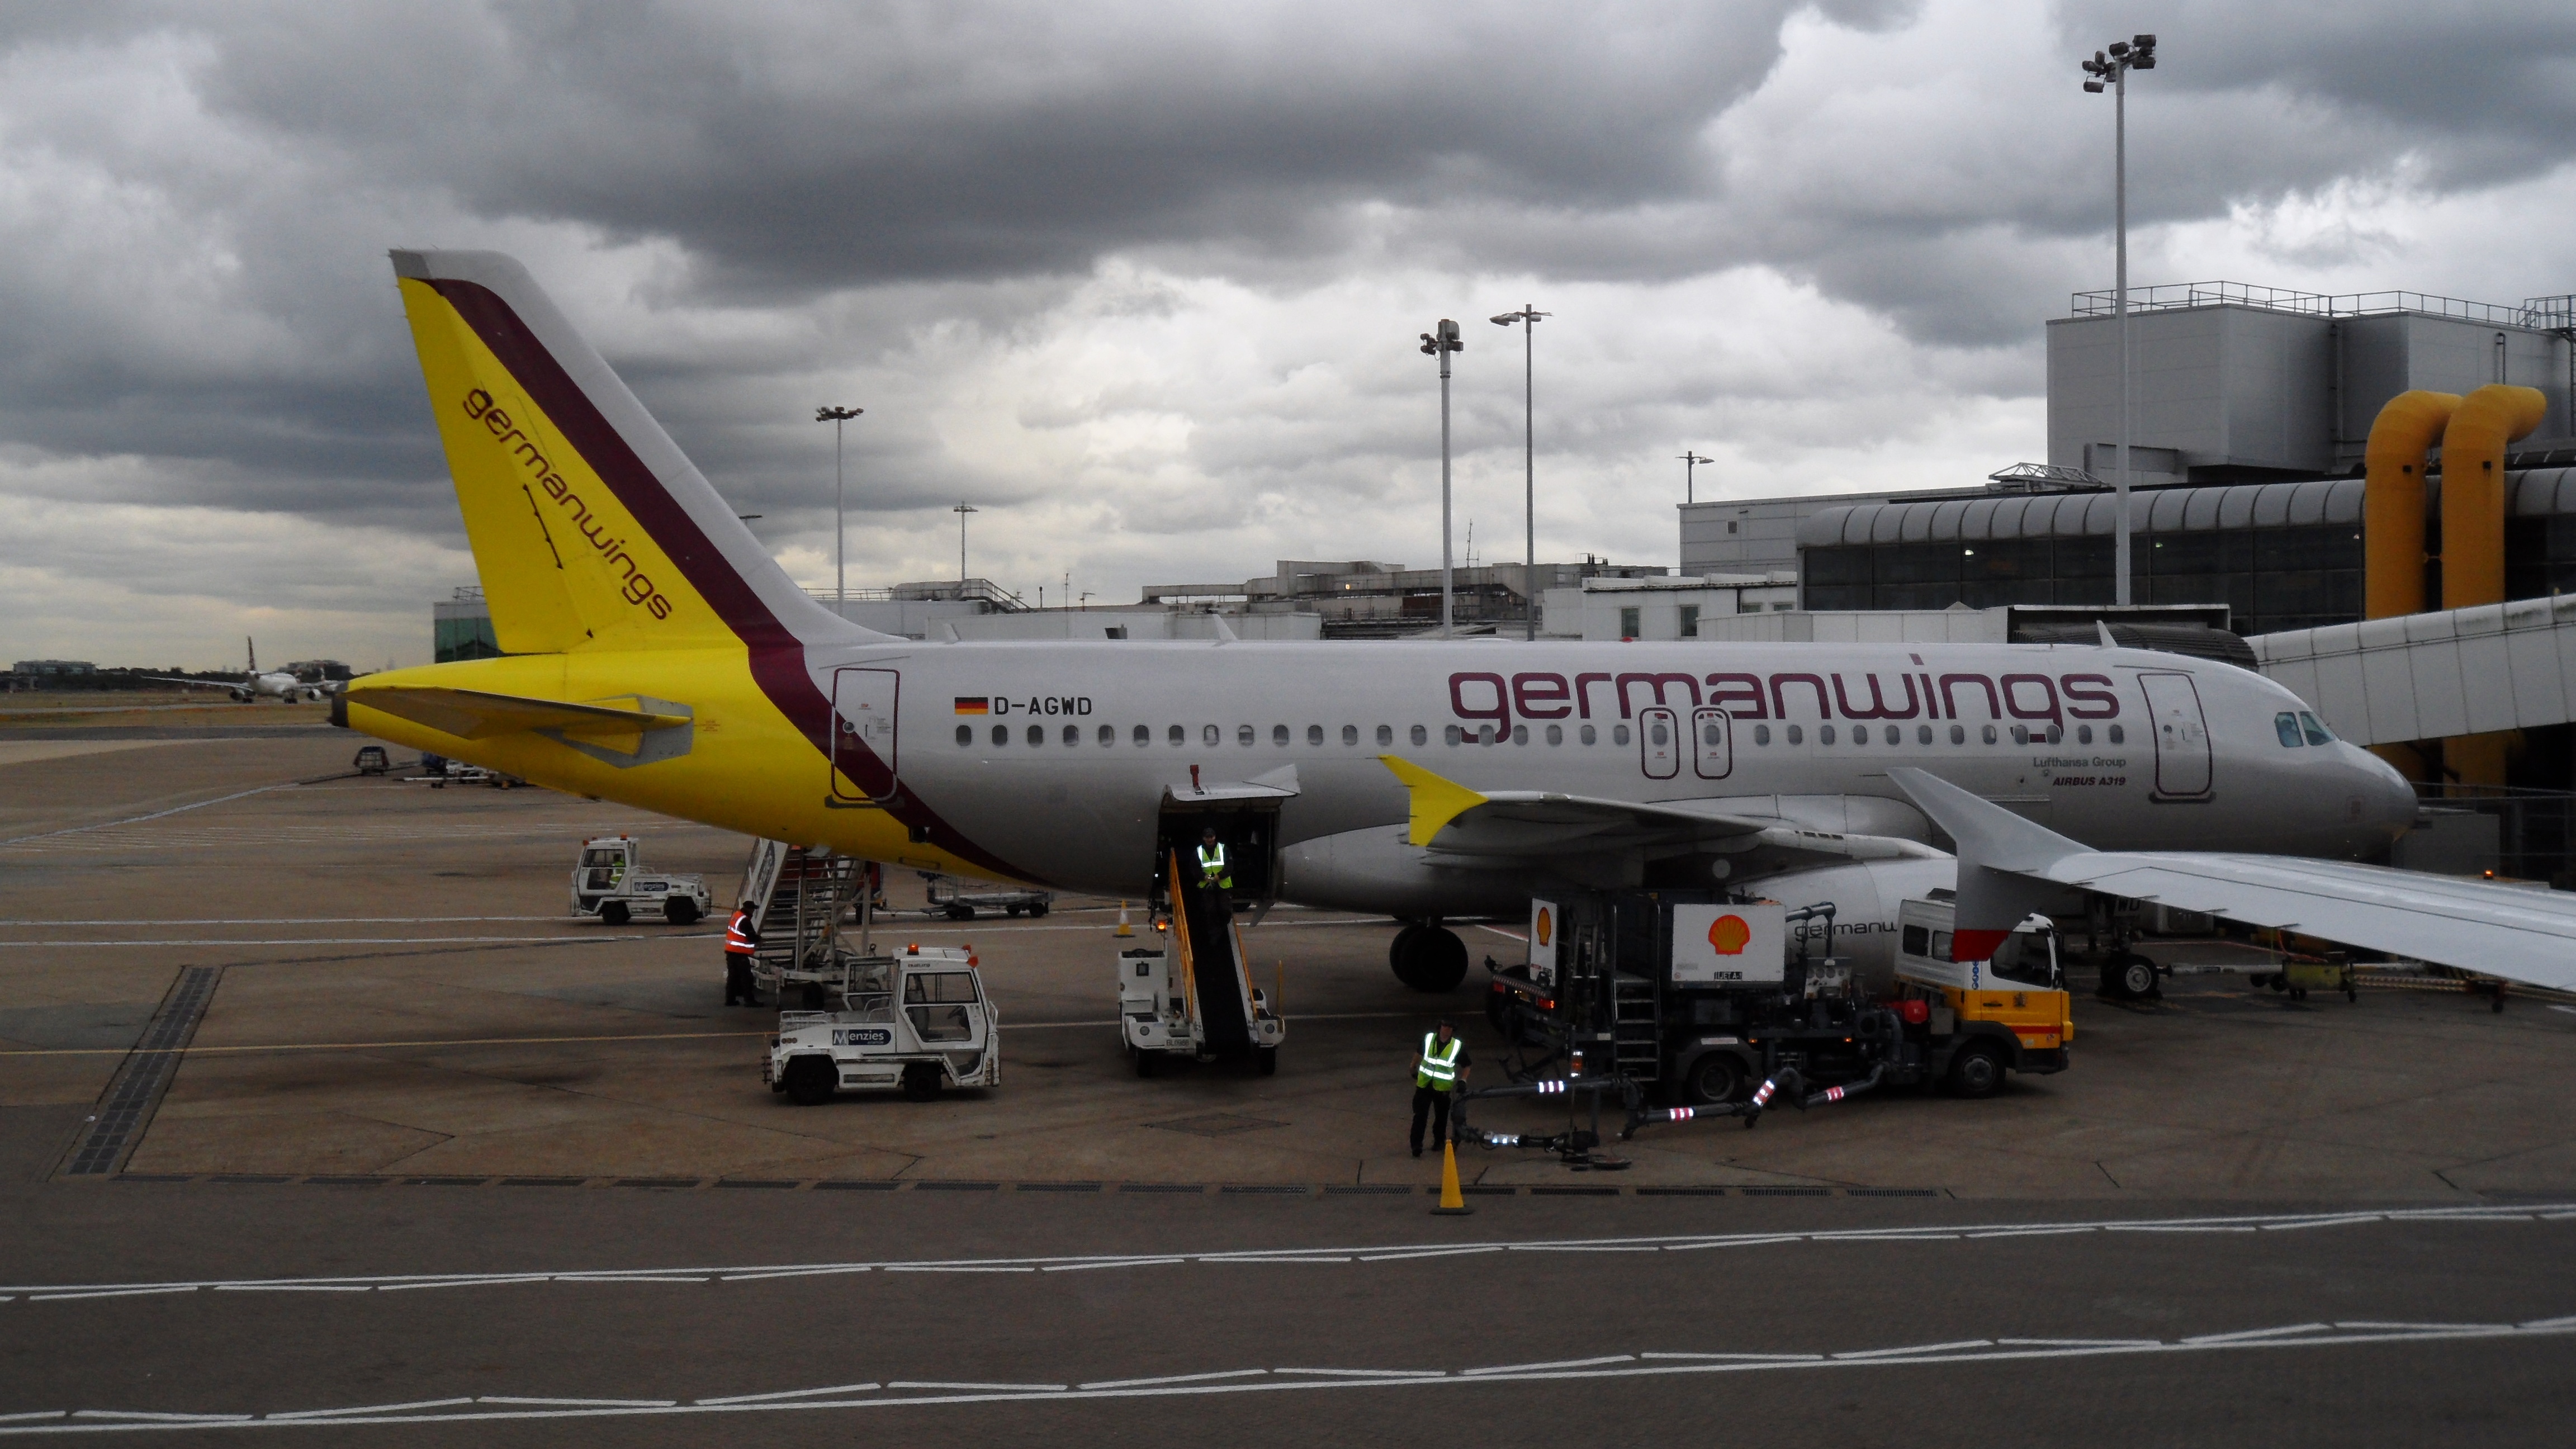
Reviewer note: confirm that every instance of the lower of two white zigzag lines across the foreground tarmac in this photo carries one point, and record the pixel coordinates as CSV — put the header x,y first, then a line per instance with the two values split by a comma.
x,y
1264,1381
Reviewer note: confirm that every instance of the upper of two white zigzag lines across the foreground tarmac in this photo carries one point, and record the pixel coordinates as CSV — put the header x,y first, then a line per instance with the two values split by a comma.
x,y
1364,1254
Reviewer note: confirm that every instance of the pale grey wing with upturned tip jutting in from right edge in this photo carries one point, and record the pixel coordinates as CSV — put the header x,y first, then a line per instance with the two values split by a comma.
x,y
2477,927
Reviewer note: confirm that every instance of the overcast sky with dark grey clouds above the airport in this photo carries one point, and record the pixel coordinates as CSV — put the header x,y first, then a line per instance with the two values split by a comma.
x,y
1140,280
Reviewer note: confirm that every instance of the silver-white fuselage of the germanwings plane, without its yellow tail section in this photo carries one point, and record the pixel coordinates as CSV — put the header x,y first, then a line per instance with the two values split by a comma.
x,y
1060,757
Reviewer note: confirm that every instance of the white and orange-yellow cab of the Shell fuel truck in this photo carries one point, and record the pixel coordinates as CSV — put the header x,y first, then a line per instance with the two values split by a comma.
x,y
2011,1007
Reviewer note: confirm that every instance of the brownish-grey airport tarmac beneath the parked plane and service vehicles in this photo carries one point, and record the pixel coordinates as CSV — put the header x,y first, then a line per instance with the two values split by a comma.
x,y
380,1056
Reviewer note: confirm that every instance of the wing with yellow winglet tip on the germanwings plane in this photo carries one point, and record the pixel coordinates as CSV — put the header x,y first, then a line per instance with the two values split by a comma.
x,y
1526,826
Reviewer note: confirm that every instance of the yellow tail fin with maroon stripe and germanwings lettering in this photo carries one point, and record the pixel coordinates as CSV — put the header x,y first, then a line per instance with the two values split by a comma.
x,y
589,525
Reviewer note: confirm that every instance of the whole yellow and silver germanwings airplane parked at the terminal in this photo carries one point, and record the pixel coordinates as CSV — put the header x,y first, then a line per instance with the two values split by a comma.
x,y
656,656
